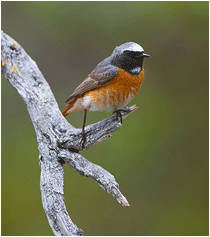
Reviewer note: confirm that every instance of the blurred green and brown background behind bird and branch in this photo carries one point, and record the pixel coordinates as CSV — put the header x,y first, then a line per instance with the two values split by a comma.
x,y
159,156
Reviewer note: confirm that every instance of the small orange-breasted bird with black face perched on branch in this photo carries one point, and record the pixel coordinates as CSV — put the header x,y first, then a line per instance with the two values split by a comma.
x,y
111,85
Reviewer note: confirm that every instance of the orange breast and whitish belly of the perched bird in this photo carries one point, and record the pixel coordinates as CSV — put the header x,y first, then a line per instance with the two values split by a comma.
x,y
116,93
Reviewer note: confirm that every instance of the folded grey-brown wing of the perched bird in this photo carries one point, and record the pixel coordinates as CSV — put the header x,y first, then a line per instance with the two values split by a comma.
x,y
101,75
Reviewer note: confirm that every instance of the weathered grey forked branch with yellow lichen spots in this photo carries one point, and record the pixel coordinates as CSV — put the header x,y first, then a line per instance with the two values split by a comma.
x,y
57,139
